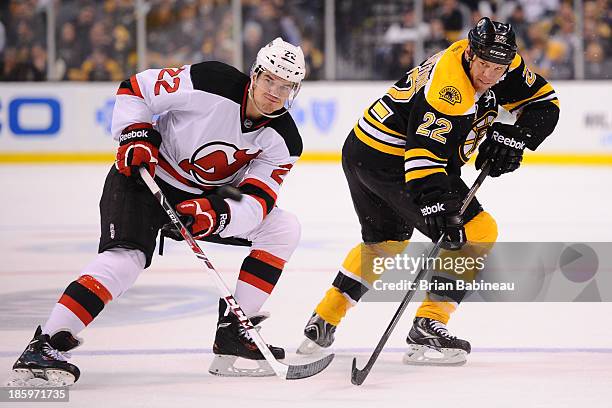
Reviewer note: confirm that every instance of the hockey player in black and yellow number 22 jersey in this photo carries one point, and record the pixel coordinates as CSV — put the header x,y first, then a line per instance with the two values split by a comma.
x,y
403,160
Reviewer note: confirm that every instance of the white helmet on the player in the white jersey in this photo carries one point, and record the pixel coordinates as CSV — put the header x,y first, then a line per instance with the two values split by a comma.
x,y
282,59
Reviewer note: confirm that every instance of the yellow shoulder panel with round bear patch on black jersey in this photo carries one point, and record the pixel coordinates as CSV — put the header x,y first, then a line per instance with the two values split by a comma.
x,y
449,89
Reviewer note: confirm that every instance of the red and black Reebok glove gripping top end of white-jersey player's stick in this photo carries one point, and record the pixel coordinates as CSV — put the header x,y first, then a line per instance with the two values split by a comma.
x,y
138,146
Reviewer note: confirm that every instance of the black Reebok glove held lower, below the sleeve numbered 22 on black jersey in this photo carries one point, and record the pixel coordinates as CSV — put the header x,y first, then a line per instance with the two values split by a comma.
x,y
442,217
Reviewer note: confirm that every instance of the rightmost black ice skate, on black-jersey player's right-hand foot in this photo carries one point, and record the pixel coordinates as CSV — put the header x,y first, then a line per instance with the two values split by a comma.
x,y
431,336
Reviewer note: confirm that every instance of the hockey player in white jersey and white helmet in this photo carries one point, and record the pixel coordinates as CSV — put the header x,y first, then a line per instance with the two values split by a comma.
x,y
217,127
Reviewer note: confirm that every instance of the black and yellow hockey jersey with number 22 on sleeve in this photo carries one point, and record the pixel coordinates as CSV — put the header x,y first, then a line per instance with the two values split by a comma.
x,y
432,120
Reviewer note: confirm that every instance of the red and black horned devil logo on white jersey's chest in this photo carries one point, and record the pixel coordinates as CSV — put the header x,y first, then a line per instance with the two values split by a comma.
x,y
217,163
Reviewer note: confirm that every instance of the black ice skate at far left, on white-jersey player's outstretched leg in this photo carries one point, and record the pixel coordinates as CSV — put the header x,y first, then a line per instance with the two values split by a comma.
x,y
44,363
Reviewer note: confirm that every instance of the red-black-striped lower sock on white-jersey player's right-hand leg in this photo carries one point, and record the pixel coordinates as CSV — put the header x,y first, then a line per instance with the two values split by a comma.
x,y
258,275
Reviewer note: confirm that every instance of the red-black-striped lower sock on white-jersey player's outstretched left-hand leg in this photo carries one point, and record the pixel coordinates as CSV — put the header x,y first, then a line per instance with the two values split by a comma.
x,y
80,303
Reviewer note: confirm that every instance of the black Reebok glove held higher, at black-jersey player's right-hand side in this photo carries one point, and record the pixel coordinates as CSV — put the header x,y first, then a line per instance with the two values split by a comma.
x,y
503,147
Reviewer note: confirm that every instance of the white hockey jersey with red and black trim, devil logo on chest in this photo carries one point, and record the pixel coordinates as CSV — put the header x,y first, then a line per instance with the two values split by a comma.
x,y
207,140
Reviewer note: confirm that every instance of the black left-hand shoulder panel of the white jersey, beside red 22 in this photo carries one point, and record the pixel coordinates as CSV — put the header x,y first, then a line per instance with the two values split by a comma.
x,y
220,79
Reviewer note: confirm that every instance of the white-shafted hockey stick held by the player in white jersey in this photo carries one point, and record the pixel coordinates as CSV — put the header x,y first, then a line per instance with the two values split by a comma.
x,y
284,371
